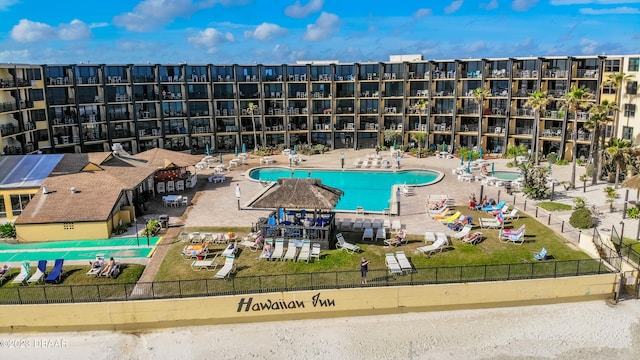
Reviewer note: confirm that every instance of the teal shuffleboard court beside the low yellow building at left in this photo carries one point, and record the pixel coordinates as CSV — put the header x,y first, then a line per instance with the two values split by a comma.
x,y
77,250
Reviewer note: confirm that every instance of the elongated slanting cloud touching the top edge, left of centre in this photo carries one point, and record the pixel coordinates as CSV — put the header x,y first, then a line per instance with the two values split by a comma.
x,y
150,15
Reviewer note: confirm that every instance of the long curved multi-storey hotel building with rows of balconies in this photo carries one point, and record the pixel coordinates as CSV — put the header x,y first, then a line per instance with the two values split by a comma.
x,y
89,107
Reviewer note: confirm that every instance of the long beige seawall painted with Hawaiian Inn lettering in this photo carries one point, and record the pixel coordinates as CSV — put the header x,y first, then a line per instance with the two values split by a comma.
x,y
138,315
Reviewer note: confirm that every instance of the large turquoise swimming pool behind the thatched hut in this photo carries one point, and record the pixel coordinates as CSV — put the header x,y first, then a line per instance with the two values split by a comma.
x,y
369,189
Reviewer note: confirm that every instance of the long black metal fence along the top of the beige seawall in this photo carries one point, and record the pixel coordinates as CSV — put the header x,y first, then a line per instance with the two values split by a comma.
x,y
45,294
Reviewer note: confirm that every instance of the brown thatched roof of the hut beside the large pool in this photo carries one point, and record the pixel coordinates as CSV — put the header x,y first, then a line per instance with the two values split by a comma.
x,y
308,194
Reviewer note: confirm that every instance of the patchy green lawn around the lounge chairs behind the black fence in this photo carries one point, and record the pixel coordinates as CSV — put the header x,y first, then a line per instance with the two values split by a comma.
x,y
489,252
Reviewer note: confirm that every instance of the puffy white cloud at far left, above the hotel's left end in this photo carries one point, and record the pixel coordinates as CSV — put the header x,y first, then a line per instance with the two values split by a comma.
x,y
33,31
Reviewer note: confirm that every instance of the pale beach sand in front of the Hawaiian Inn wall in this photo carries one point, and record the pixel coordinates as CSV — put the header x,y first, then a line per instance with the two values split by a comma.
x,y
588,330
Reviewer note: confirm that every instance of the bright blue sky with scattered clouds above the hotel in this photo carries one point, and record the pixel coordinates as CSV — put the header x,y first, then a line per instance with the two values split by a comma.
x,y
284,31
